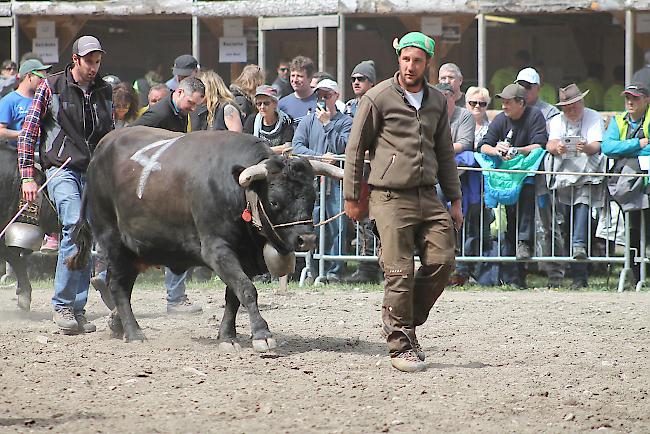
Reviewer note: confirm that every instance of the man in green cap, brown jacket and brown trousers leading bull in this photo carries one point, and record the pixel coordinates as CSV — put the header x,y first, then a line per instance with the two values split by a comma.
x,y
402,123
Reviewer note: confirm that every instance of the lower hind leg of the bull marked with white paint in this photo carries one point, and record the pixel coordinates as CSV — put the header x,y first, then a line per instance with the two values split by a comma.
x,y
123,275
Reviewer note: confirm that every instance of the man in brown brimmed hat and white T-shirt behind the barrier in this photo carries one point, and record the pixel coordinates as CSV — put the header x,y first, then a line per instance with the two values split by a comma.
x,y
574,144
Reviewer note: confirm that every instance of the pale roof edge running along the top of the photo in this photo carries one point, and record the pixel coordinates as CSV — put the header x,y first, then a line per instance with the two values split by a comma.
x,y
256,8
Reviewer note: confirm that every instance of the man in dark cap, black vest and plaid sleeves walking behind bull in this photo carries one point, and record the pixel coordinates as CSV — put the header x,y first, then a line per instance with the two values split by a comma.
x,y
70,113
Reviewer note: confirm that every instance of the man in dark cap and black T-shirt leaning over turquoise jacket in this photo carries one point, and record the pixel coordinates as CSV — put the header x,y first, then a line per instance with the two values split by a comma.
x,y
519,129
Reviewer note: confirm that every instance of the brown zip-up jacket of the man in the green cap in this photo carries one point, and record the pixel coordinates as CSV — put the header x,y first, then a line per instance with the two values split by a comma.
x,y
408,148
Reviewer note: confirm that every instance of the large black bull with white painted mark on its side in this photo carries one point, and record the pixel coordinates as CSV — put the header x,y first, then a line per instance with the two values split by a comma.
x,y
159,197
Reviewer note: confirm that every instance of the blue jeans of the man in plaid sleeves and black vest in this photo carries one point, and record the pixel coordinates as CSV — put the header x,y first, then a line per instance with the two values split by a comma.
x,y
70,287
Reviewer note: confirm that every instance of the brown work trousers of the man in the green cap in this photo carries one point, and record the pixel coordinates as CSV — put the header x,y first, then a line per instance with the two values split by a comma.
x,y
410,220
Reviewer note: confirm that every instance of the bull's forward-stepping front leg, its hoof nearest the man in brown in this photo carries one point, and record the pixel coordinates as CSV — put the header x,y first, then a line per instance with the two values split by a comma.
x,y
223,260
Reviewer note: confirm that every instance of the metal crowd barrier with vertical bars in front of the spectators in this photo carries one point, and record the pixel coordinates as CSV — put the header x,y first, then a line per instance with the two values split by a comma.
x,y
609,239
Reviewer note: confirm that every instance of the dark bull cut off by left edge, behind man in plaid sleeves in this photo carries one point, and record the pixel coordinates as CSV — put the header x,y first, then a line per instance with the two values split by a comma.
x,y
9,198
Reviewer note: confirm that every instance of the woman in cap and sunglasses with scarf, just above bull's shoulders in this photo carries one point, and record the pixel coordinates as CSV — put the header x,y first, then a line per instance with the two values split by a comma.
x,y
269,123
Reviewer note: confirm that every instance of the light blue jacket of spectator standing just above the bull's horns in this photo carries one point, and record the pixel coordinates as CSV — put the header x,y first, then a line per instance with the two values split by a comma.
x,y
312,138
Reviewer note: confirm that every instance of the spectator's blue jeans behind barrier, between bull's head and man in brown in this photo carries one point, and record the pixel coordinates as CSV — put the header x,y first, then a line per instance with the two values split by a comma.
x,y
334,231
